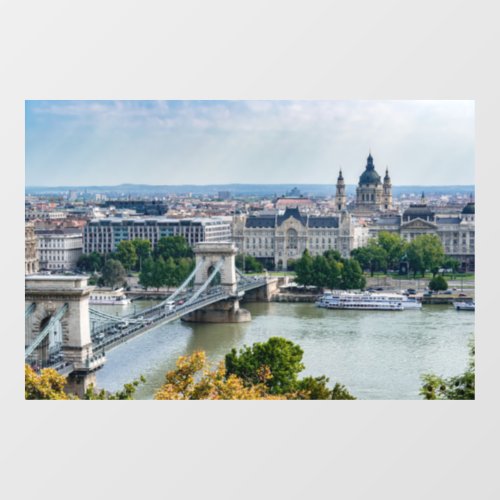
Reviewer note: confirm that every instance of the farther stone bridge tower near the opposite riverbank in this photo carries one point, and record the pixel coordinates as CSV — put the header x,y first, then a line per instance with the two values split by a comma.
x,y
210,257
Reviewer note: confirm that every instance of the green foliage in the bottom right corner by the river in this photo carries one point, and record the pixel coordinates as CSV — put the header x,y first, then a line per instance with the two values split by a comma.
x,y
458,387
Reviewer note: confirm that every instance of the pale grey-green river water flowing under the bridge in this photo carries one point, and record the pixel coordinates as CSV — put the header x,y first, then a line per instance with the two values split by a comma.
x,y
375,354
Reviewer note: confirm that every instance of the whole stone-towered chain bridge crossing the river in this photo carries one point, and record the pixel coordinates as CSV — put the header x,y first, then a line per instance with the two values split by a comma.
x,y
64,333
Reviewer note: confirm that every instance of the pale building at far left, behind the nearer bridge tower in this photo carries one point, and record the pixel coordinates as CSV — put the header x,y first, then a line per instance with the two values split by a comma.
x,y
59,249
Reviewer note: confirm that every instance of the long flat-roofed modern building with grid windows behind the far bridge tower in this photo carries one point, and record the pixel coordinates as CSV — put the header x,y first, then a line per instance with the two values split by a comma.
x,y
103,235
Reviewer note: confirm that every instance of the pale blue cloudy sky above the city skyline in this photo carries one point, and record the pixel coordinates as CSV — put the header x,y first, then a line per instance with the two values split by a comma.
x,y
77,143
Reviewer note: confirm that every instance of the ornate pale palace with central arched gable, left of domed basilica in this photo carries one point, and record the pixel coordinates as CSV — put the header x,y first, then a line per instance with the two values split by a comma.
x,y
277,239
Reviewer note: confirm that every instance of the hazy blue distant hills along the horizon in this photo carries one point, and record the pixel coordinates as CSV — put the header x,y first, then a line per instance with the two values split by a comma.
x,y
240,189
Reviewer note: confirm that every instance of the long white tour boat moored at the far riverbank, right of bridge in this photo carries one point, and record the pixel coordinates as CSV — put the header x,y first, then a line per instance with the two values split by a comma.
x,y
367,301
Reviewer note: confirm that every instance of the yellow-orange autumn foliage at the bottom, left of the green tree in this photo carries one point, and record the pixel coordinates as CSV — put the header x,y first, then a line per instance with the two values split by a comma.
x,y
192,379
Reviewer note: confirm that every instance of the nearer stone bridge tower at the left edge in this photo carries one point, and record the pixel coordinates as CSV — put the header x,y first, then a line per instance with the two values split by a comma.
x,y
65,300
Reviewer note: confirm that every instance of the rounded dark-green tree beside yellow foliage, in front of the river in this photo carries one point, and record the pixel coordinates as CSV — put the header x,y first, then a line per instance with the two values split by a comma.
x,y
280,356
